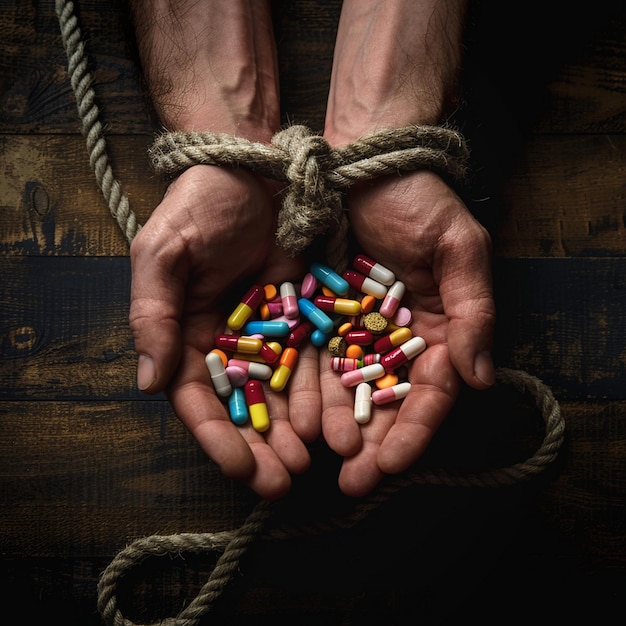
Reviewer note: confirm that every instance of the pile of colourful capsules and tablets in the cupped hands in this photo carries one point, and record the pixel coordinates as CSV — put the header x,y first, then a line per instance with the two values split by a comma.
x,y
367,336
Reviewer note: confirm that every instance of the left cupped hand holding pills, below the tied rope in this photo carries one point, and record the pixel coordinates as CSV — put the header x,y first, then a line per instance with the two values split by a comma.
x,y
207,242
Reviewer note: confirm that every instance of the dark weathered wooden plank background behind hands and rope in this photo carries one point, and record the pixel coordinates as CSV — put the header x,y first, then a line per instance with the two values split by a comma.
x,y
89,464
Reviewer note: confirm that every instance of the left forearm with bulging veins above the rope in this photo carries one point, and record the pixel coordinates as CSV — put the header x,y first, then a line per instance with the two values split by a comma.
x,y
210,64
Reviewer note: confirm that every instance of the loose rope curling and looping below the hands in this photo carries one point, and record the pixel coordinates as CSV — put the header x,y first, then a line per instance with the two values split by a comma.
x,y
233,544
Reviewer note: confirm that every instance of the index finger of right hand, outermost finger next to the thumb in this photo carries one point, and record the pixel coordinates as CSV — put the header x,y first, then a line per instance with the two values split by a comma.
x,y
435,386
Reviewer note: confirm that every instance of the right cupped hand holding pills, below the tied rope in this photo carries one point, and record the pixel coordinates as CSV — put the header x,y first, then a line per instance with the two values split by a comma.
x,y
419,228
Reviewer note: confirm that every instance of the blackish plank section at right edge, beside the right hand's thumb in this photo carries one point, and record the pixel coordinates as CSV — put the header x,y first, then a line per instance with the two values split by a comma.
x,y
563,320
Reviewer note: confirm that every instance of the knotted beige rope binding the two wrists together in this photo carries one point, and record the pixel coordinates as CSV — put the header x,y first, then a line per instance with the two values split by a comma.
x,y
317,175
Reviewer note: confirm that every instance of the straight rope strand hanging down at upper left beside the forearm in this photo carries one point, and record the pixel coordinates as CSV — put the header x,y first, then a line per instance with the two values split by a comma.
x,y
89,114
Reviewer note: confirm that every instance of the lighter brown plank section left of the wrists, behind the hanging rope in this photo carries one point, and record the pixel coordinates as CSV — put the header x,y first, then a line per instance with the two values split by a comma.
x,y
50,203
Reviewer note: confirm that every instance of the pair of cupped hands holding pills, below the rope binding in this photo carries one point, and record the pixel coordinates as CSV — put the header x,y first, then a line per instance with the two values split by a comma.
x,y
214,231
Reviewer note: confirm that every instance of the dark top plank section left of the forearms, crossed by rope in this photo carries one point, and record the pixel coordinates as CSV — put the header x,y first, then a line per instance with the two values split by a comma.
x,y
35,92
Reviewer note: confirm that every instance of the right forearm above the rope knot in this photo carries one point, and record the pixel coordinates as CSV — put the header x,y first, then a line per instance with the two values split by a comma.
x,y
396,63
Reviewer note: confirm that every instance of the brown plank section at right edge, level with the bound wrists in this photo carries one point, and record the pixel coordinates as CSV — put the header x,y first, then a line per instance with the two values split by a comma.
x,y
565,198
